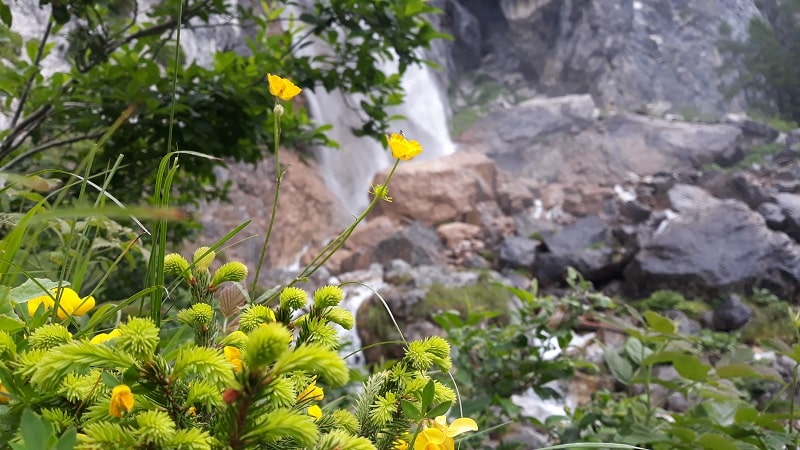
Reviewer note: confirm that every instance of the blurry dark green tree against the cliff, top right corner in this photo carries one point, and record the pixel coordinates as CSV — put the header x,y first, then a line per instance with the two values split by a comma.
x,y
764,64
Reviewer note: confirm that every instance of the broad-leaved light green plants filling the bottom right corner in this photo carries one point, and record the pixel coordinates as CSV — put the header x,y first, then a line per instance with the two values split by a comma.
x,y
720,413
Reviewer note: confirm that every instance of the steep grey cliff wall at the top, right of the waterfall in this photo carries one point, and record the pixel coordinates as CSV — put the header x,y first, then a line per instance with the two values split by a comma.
x,y
622,52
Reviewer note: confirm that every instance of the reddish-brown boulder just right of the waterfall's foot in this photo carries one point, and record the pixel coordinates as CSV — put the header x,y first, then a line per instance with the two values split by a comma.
x,y
446,189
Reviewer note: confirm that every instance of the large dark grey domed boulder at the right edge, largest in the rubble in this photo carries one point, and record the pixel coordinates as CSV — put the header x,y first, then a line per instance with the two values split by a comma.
x,y
720,248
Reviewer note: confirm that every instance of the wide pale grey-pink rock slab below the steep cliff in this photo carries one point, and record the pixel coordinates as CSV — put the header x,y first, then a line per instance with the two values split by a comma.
x,y
560,140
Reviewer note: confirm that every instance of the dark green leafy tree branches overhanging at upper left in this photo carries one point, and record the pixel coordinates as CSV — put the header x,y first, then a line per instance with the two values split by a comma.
x,y
116,79
